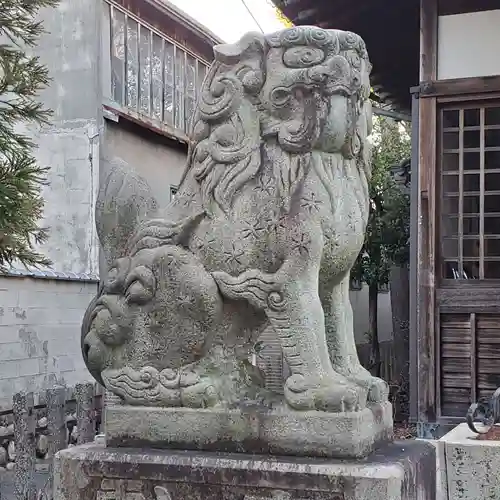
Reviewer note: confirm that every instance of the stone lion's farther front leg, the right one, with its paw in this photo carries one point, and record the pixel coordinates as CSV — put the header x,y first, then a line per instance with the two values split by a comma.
x,y
339,329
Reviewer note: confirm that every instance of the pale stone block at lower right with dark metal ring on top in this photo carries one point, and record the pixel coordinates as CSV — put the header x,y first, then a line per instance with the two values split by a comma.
x,y
472,465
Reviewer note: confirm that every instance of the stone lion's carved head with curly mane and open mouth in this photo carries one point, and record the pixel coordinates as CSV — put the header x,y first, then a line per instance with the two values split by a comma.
x,y
301,89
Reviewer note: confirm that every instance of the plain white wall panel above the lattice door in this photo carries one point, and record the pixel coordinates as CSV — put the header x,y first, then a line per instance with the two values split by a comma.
x,y
468,45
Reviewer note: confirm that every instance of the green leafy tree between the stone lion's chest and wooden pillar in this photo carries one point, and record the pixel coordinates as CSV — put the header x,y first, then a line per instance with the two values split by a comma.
x,y
388,231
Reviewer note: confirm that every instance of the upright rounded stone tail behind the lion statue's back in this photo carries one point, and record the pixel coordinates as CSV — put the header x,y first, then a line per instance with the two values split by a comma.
x,y
124,200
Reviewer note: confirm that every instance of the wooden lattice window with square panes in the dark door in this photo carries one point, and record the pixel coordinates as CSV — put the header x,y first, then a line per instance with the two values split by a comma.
x,y
470,191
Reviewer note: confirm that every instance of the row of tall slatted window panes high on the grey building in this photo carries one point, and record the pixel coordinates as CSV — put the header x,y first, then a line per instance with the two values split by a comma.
x,y
150,74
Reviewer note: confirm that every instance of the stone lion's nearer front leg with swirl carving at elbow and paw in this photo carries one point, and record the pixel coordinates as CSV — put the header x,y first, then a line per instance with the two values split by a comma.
x,y
293,307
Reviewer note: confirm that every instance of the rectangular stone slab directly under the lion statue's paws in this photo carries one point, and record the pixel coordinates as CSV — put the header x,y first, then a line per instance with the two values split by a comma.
x,y
253,430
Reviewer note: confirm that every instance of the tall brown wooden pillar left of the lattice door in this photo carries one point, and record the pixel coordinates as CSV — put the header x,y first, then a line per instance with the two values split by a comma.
x,y
426,211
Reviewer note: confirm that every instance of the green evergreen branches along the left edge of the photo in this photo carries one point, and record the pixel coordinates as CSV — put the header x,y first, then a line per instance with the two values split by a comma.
x,y
22,76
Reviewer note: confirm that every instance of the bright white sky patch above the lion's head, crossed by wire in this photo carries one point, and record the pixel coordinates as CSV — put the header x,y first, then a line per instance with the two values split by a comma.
x,y
229,19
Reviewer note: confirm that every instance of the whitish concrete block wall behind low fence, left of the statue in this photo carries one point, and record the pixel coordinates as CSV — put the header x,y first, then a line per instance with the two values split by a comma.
x,y
40,323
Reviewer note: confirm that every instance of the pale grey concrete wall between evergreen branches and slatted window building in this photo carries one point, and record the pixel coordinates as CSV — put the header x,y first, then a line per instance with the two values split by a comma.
x,y
70,145
